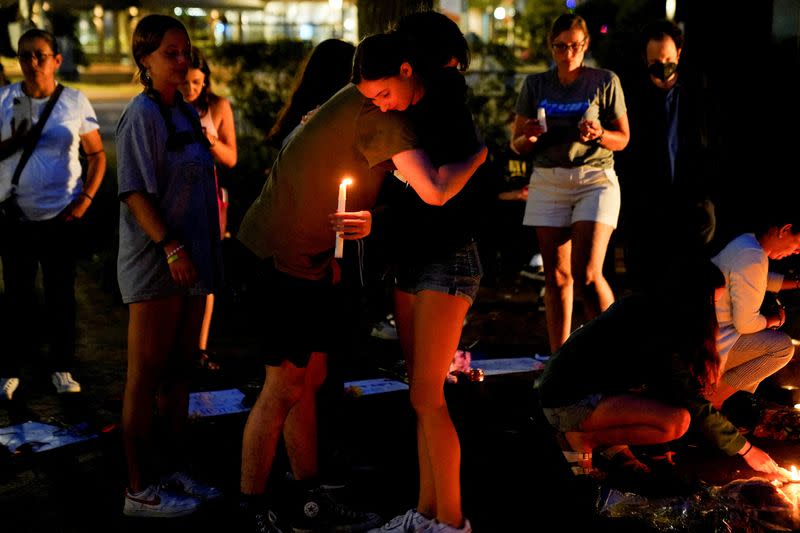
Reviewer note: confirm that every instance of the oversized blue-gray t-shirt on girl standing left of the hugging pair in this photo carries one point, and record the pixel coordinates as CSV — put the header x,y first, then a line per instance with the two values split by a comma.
x,y
181,183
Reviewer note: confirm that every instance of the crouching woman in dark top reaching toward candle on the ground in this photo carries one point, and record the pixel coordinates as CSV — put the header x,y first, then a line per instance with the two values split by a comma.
x,y
639,374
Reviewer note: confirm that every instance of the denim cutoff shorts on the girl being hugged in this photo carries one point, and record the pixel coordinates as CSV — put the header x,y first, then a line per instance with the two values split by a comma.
x,y
458,274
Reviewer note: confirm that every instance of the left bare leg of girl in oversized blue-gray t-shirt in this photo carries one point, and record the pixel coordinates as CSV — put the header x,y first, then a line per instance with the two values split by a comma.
x,y
151,336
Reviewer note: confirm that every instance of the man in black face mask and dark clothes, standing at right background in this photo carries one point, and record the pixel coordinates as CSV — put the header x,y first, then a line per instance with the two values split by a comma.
x,y
667,167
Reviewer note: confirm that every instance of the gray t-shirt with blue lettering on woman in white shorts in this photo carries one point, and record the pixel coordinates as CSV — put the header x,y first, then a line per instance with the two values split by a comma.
x,y
596,94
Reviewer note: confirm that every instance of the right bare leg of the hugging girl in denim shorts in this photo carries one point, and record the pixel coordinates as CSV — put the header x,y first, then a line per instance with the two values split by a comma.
x,y
438,320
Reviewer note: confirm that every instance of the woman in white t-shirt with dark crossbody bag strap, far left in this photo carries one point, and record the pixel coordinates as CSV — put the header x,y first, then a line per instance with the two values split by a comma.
x,y
42,126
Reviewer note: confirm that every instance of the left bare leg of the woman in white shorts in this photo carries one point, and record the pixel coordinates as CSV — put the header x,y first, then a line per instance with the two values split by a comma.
x,y
555,246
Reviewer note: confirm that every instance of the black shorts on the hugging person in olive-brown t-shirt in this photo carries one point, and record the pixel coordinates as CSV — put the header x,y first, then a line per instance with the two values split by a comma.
x,y
300,316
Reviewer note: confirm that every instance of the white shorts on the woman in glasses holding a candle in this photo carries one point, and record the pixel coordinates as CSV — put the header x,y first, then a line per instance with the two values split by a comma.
x,y
559,197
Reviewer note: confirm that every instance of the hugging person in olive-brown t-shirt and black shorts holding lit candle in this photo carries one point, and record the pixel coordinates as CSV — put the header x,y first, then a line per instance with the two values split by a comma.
x,y
291,230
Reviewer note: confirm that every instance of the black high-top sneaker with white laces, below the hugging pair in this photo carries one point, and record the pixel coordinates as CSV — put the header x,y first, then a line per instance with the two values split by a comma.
x,y
322,513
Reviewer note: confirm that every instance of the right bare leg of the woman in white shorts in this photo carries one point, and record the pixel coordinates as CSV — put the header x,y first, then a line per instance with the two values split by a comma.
x,y
590,243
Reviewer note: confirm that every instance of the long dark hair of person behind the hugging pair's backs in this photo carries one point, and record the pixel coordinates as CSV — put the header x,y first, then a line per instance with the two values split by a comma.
x,y
326,70
